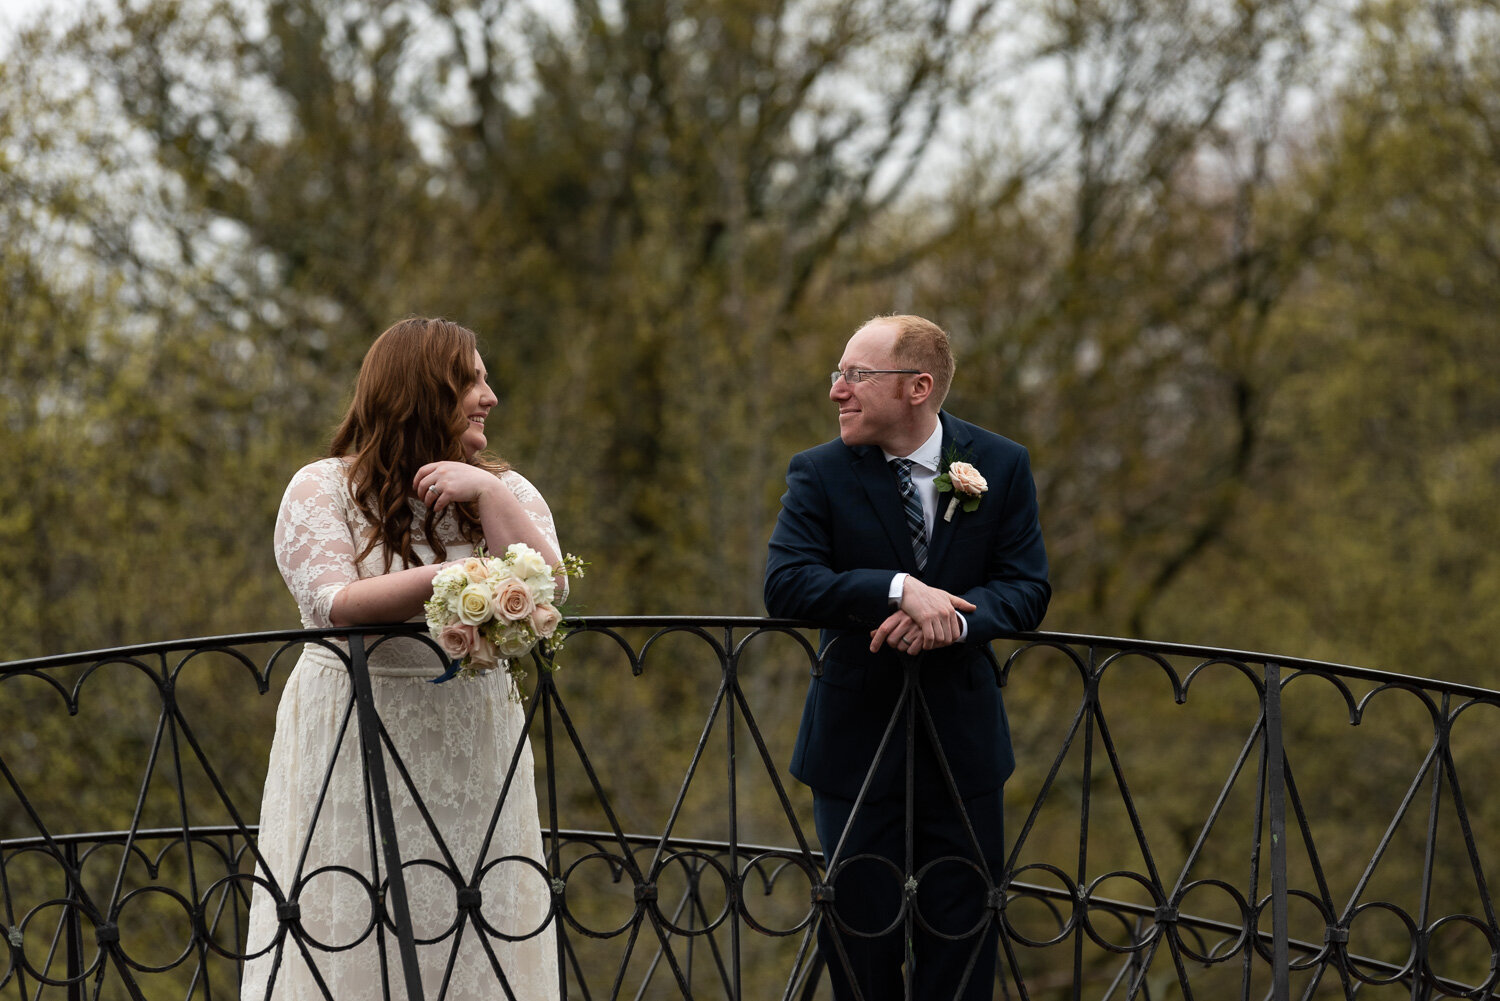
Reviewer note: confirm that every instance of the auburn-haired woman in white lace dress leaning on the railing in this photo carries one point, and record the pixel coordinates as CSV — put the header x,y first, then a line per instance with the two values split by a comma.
x,y
361,535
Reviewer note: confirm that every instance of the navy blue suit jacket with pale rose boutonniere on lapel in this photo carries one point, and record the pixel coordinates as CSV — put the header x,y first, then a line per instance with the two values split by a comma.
x,y
839,541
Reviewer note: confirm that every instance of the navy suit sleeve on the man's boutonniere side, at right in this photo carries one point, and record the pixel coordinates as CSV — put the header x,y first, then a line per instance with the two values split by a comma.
x,y
1016,592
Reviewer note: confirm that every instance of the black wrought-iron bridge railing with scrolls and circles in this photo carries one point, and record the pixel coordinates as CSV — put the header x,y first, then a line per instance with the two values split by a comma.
x,y
1184,823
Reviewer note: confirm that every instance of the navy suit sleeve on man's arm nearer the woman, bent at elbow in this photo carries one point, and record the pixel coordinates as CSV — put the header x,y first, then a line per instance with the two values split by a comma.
x,y
800,576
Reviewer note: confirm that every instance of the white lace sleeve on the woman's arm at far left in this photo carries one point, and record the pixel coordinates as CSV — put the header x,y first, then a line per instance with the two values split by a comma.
x,y
316,546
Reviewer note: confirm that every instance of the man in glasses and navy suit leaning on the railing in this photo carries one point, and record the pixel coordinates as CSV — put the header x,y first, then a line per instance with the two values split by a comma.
x,y
871,550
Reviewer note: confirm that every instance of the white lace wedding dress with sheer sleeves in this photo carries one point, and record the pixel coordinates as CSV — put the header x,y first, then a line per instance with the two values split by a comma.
x,y
457,741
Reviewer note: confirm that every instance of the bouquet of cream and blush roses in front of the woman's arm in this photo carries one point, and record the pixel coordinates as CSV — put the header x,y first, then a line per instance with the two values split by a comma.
x,y
488,612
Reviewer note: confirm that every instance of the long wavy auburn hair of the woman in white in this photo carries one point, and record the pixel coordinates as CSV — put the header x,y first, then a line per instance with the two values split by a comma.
x,y
407,413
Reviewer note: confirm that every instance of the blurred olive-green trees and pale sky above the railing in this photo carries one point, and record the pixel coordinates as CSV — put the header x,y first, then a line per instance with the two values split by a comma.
x,y
1229,271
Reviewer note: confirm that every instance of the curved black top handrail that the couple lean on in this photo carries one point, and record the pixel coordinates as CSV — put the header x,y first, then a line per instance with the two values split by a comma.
x,y
752,622
